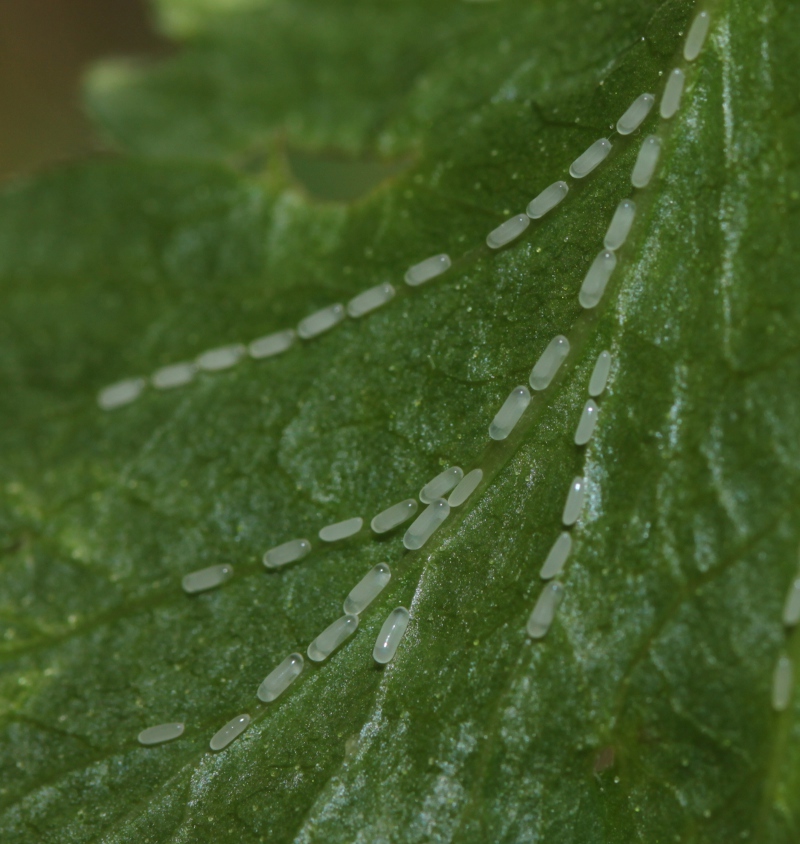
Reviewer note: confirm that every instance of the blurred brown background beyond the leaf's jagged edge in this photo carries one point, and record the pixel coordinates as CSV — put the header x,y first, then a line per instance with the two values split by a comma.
x,y
45,47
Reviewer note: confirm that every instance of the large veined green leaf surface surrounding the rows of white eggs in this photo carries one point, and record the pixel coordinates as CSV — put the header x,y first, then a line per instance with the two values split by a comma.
x,y
644,714
